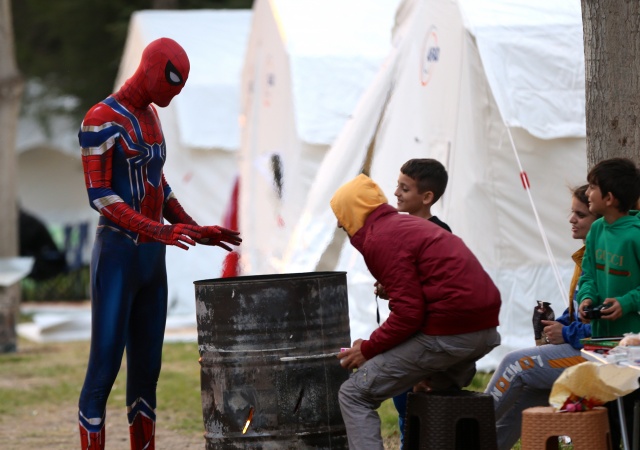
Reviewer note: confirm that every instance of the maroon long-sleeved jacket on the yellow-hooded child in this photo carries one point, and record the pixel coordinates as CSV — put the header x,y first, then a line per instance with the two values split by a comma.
x,y
436,285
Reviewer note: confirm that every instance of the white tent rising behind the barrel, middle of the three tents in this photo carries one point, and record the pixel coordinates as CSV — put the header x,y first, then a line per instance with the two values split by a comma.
x,y
307,64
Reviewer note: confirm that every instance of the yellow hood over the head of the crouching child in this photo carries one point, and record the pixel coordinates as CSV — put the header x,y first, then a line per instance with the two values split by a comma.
x,y
355,200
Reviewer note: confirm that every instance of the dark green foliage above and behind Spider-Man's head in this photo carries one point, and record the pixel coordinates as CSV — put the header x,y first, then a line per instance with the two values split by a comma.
x,y
74,47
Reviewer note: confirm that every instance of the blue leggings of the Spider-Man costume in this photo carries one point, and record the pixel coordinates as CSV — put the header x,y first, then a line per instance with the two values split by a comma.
x,y
128,309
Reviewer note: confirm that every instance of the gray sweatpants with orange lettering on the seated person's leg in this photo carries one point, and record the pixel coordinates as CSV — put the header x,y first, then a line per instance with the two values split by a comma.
x,y
523,380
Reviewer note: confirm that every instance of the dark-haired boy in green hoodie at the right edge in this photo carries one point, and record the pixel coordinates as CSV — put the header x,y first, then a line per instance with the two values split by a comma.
x,y
611,264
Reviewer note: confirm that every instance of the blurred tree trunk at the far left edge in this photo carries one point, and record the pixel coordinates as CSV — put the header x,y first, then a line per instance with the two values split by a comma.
x,y
10,91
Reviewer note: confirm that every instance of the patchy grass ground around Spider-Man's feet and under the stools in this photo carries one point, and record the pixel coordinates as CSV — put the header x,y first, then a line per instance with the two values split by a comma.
x,y
40,384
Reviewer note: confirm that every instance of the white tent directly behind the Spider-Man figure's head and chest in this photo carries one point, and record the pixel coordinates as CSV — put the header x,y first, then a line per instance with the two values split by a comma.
x,y
200,126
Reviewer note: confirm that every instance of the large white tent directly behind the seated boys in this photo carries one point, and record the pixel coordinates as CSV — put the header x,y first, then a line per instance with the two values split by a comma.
x,y
463,80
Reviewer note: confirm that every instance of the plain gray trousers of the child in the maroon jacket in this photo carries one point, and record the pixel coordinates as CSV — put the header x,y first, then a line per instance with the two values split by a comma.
x,y
446,361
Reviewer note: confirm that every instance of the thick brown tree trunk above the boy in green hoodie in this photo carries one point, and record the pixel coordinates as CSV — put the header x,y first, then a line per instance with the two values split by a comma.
x,y
612,83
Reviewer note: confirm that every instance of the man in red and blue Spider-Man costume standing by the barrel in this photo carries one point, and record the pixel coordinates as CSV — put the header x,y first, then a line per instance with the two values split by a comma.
x,y
123,152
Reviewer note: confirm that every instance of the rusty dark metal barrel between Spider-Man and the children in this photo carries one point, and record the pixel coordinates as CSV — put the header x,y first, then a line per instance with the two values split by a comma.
x,y
269,372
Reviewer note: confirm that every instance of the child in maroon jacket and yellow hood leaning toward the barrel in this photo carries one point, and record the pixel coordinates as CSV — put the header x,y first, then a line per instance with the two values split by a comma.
x,y
444,309
